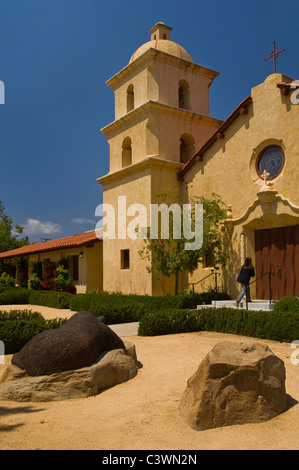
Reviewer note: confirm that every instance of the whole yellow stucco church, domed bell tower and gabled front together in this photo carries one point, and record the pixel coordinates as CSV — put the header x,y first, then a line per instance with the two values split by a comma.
x,y
163,136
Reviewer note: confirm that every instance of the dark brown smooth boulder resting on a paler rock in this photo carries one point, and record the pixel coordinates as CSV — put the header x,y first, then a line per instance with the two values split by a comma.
x,y
77,343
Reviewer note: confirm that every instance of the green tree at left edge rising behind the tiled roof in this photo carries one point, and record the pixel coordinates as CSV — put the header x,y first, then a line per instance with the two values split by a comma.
x,y
9,232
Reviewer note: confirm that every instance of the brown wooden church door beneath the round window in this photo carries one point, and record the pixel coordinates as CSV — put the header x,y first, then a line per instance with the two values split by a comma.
x,y
277,251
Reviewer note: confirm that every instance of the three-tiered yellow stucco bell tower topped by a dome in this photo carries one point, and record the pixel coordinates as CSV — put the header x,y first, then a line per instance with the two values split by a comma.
x,y
161,119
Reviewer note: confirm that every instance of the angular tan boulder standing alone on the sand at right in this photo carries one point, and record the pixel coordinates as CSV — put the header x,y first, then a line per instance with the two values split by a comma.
x,y
236,383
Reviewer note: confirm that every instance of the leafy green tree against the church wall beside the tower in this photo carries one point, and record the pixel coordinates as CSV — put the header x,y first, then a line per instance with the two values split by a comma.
x,y
169,255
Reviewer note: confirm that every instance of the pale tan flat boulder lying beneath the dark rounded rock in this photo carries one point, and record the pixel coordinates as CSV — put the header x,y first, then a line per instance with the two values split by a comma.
x,y
112,368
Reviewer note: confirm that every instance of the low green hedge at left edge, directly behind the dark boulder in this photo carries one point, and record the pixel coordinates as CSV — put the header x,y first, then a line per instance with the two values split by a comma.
x,y
18,327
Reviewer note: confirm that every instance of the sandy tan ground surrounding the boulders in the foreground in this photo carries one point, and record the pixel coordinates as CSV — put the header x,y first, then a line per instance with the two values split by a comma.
x,y
142,414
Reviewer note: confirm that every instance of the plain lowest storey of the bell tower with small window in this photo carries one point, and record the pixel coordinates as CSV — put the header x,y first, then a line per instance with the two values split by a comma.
x,y
139,188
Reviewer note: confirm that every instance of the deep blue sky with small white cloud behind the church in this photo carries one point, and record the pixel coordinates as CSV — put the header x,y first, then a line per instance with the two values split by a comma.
x,y
55,57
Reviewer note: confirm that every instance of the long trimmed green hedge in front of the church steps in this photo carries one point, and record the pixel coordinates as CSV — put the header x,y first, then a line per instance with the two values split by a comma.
x,y
271,325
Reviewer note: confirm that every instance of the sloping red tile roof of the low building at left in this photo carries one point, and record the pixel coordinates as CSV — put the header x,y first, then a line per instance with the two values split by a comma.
x,y
54,245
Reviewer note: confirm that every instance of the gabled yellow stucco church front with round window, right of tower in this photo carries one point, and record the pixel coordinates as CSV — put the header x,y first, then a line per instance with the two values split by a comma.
x,y
230,168
